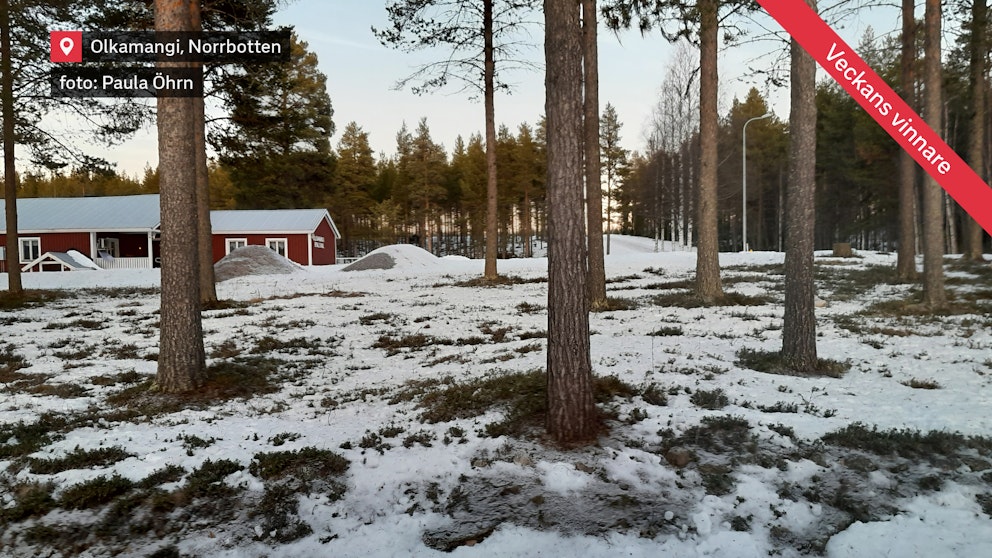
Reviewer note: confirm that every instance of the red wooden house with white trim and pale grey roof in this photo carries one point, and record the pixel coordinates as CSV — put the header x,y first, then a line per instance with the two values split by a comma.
x,y
123,231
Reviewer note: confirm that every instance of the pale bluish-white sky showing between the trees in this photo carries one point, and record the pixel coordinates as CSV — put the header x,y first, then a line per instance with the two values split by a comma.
x,y
362,73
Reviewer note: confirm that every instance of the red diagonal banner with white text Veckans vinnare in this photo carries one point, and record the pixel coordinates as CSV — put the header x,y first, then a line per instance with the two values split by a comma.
x,y
887,108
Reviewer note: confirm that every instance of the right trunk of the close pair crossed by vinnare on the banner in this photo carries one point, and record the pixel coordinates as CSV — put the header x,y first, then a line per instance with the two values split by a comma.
x,y
934,296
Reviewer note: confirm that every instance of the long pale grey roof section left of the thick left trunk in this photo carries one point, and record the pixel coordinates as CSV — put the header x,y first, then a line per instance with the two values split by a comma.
x,y
110,213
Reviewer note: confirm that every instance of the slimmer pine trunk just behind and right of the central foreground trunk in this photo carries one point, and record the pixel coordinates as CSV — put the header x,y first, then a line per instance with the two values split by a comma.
x,y
594,186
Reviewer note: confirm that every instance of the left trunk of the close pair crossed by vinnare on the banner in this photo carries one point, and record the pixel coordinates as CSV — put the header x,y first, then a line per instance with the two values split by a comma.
x,y
906,255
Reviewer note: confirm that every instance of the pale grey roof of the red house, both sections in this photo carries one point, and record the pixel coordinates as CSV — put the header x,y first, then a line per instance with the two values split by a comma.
x,y
141,214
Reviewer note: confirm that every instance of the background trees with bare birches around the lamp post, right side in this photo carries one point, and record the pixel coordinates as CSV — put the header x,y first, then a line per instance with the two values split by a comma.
x,y
857,166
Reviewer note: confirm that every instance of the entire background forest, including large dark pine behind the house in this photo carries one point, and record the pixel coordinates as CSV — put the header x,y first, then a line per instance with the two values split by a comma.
x,y
436,196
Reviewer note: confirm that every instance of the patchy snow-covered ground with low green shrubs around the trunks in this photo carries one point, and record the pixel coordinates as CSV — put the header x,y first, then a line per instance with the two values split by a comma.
x,y
770,487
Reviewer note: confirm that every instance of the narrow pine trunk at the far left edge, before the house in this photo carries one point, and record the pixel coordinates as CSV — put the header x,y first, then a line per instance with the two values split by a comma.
x,y
9,172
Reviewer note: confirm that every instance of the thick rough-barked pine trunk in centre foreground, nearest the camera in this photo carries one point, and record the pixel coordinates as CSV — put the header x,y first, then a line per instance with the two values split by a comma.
x,y
571,409
